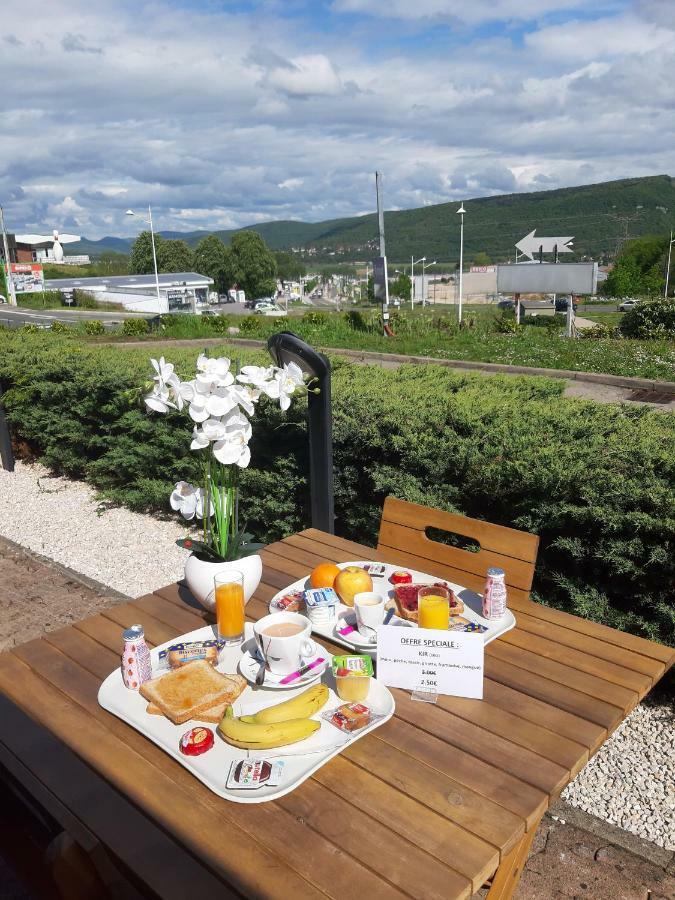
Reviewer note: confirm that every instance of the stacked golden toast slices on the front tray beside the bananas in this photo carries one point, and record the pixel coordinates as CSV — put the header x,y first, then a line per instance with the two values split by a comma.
x,y
194,688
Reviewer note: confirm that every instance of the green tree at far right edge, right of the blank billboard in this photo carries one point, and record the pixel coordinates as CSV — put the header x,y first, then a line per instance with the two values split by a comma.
x,y
639,269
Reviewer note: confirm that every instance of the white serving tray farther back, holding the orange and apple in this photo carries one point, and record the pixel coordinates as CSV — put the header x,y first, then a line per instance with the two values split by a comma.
x,y
473,608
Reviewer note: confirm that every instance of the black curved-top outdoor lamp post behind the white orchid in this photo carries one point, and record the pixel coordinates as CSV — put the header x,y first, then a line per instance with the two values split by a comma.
x,y
285,347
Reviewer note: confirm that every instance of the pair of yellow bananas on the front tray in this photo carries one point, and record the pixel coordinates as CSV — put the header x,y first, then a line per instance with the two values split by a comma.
x,y
276,726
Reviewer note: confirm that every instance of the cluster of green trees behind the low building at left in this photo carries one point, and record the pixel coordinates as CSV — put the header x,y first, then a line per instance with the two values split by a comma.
x,y
247,262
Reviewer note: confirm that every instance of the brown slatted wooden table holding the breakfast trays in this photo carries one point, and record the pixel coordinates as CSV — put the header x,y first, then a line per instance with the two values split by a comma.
x,y
438,801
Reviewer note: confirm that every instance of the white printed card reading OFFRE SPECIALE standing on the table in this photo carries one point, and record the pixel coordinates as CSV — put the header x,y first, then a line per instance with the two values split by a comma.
x,y
427,660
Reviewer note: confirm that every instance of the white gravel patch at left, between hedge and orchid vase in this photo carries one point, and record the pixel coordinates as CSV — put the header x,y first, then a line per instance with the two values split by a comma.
x,y
63,520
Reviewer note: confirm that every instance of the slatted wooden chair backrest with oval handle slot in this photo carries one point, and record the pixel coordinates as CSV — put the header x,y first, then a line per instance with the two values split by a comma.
x,y
404,539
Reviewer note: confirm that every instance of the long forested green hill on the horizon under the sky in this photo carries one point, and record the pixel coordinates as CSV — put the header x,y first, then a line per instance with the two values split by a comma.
x,y
599,216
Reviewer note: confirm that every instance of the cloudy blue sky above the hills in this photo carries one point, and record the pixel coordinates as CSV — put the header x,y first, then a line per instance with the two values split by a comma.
x,y
221,113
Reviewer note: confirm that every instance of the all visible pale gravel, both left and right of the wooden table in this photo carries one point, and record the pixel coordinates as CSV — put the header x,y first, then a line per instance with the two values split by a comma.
x,y
629,783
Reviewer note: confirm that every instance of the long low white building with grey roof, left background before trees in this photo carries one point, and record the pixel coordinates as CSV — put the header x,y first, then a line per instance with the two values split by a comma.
x,y
178,291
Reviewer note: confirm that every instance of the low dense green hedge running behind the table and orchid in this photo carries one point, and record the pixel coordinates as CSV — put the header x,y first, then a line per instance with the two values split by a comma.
x,y
596,482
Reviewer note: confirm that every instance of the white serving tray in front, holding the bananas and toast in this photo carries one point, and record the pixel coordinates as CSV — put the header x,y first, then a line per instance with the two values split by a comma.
x,y
212,768
